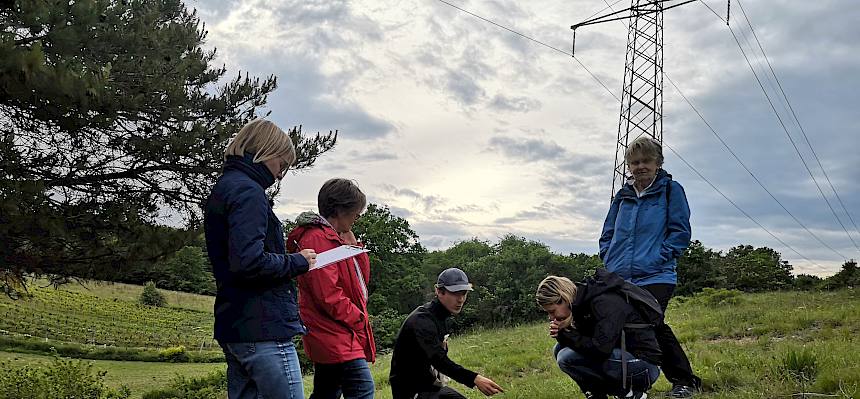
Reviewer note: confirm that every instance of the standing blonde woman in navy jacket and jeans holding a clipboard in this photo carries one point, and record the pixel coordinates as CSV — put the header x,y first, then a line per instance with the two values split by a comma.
x,y
256,315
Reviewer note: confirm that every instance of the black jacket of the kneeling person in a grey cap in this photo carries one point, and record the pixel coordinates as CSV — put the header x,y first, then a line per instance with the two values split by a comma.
x,y
417,347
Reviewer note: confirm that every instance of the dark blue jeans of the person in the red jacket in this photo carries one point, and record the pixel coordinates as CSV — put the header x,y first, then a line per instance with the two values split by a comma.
x,y
352,379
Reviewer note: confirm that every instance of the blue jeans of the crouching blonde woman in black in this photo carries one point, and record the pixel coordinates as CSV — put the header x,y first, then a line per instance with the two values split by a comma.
x,y
605,376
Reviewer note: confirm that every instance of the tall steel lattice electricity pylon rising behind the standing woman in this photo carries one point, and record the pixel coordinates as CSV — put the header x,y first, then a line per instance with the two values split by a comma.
x,y
642,93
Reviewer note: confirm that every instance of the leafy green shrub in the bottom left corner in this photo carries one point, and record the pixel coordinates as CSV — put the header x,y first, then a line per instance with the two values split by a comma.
x,y
60,379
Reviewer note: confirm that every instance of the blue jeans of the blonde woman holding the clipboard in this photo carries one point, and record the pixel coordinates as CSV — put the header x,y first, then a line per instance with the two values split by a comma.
x,y
268,369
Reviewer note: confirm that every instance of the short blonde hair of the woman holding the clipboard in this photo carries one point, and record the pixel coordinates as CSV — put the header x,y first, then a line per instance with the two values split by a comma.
x,y
265,140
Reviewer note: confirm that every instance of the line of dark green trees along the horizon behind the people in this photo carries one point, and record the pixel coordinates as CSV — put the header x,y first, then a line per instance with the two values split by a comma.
x,y
505,273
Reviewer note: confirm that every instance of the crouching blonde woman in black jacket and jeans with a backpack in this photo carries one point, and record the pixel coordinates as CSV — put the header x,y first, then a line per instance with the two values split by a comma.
x,y
605,332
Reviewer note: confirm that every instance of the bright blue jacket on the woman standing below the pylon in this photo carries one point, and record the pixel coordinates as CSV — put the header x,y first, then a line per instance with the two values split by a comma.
x,y
643,236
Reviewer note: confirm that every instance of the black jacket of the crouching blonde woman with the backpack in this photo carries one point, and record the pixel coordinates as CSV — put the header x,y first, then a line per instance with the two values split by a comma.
x,y
599,314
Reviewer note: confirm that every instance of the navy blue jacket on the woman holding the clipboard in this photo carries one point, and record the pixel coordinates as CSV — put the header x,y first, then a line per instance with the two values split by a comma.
x,y
256,297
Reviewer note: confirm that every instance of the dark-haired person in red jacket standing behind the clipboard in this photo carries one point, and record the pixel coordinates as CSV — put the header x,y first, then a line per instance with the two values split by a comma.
x,y
333,299
